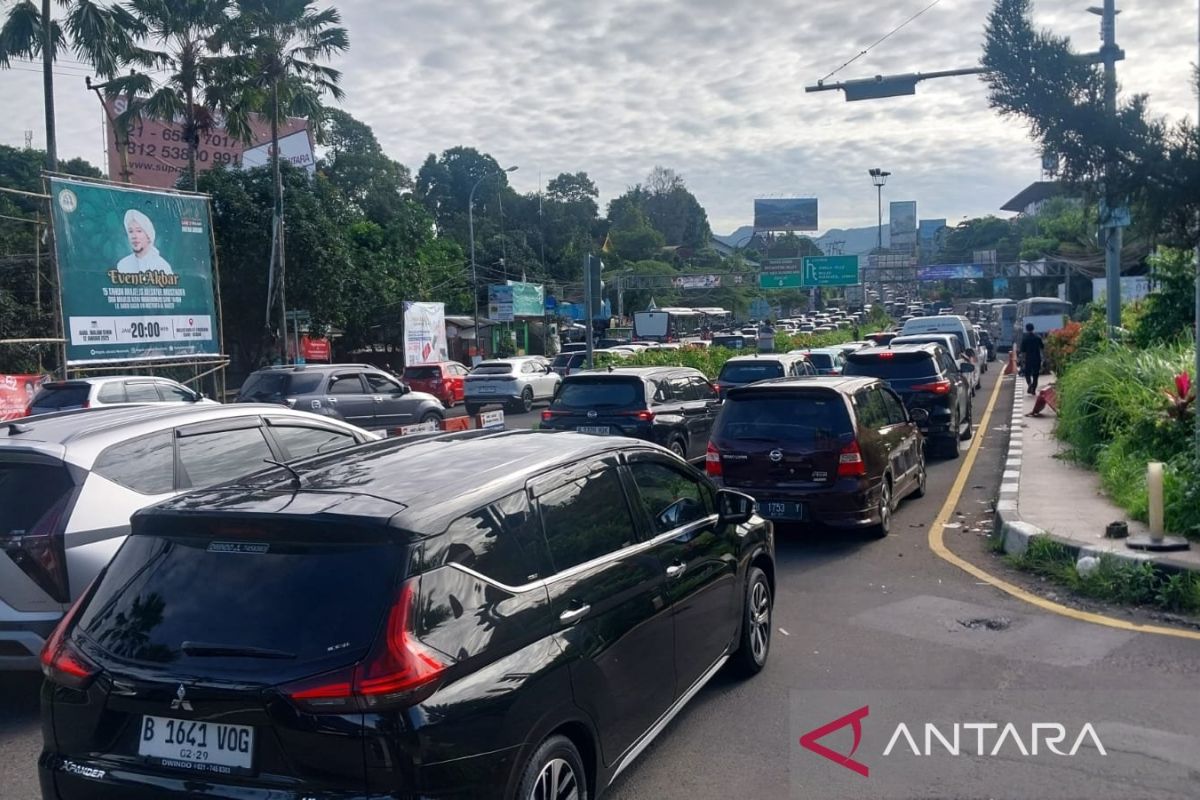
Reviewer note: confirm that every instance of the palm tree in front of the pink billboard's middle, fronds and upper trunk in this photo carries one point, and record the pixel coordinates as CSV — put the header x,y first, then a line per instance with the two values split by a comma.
x,y
185,34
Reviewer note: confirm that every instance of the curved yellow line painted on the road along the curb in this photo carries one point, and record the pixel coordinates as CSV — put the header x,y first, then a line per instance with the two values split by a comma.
x,y
937,543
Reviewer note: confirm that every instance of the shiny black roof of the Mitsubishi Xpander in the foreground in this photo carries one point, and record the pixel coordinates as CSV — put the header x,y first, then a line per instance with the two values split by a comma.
x,y
413,485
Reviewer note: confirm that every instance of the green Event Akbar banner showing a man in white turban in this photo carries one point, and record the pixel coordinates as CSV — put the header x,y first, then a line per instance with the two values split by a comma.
x,y
137,273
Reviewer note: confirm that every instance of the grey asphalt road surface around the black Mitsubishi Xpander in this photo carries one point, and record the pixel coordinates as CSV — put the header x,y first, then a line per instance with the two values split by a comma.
x,y
889,627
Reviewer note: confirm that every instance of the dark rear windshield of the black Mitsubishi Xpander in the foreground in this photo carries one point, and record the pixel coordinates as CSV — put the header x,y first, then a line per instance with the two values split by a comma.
x,y
305,599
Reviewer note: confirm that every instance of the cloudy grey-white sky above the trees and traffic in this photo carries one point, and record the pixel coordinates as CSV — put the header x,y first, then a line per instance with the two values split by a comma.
x,y
713,89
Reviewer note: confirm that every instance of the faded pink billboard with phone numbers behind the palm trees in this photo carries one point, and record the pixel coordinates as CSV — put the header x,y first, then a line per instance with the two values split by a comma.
x,y
157,153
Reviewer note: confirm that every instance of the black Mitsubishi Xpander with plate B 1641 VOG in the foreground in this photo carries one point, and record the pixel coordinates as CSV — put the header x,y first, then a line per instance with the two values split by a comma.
x,y
484,616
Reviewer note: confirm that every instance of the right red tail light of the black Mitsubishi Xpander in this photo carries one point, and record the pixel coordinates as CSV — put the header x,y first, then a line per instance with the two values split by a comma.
x,y
399,671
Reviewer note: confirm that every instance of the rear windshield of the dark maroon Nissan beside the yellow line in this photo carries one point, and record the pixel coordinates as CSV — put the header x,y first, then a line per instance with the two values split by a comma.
x,y
811,419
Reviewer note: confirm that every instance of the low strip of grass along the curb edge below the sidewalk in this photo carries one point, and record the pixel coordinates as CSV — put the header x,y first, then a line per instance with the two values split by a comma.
x,y
1113,580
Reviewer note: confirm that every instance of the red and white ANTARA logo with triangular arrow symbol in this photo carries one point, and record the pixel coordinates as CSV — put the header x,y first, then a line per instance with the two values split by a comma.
x,y
956,739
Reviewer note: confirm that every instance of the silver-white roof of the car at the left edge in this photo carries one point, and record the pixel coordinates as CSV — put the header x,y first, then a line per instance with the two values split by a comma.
x,y
83,434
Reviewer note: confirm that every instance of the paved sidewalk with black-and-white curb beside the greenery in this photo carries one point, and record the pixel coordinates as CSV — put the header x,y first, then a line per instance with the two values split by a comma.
x,y
1042,495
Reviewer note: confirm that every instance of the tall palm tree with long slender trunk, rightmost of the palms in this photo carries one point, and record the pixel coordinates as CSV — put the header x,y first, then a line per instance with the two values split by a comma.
x,y
278,46
